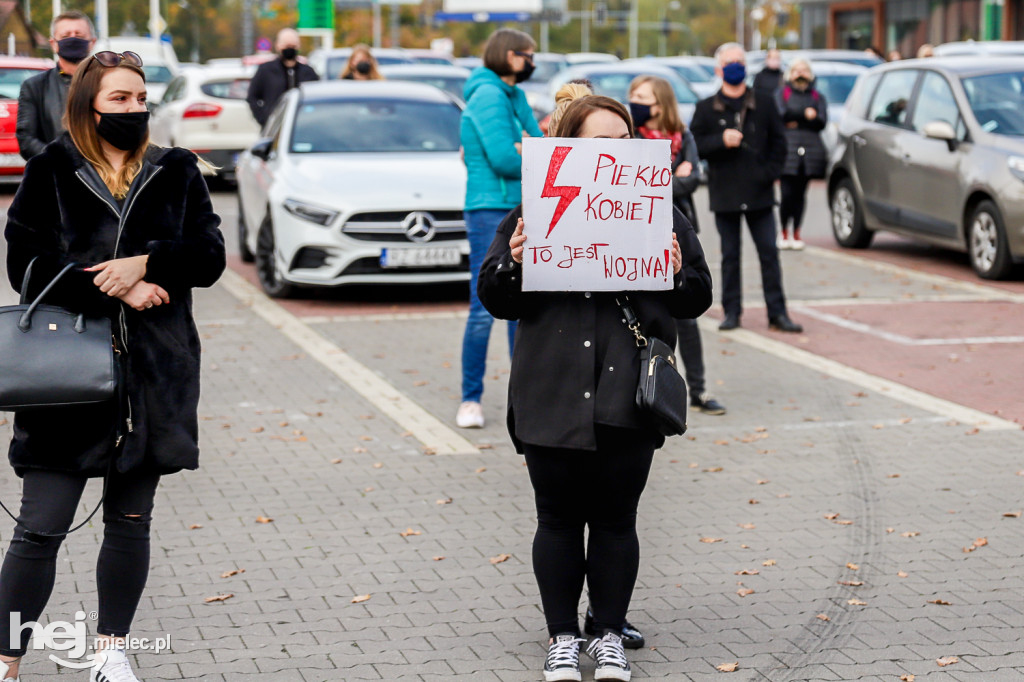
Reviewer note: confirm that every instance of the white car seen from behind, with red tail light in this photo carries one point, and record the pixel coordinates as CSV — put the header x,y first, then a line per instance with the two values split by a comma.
x,y
205,110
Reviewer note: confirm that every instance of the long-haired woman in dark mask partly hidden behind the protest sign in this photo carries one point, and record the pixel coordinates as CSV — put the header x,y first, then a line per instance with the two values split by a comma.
x,y
656,114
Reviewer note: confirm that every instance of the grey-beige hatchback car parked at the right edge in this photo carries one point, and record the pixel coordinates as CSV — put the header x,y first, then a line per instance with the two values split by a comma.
x,y
934,149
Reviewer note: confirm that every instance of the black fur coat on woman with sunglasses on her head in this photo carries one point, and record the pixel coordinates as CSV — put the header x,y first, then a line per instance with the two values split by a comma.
x,y
63,214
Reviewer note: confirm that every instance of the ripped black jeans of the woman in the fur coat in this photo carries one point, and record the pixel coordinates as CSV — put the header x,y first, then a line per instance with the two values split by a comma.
x,y
50,500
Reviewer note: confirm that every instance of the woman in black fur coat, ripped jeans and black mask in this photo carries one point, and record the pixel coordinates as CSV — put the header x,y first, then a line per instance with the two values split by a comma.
x,y
139,223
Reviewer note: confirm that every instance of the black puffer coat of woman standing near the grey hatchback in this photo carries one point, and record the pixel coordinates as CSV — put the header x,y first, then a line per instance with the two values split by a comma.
x,y
803,142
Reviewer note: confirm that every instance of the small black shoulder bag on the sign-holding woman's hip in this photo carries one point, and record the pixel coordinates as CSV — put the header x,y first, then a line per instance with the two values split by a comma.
x,y
661,390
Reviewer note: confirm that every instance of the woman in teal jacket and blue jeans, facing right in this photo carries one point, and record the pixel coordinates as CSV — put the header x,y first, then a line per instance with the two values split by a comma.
x,y
494,123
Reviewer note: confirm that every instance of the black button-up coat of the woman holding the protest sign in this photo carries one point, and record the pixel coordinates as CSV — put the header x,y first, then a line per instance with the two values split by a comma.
x,y
576,364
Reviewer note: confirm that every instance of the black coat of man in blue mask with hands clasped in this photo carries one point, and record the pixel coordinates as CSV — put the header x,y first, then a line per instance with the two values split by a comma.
x,y
741,179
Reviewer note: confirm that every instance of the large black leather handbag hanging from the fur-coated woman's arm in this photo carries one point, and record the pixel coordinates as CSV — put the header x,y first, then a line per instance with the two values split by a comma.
x,y
51,357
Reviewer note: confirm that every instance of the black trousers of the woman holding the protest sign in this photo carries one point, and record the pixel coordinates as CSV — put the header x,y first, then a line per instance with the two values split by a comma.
x,y
600,491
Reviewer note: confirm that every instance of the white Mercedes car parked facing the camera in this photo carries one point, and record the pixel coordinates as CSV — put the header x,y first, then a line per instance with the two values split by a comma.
x,y
356,183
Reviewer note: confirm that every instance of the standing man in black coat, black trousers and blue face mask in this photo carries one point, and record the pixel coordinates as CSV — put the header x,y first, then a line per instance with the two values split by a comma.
x,y
741,135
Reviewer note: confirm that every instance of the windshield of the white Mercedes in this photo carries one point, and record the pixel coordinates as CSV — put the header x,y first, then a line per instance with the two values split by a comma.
x,y
375,125
